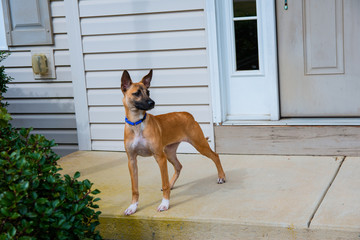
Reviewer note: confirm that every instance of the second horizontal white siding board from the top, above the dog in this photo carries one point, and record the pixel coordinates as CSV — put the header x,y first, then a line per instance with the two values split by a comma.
x,y
143,23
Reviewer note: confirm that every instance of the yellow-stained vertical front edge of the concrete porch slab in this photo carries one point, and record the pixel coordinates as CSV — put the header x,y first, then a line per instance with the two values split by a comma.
x,y
151,228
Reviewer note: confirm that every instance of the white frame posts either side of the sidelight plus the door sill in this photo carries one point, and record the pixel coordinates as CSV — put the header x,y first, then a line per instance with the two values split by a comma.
x,y
218,90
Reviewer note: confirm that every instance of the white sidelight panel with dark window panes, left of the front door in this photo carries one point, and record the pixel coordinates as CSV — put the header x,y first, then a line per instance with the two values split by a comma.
x,y
247,59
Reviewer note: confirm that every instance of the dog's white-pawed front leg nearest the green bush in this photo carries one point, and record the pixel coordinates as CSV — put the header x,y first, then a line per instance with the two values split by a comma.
x,y
132,164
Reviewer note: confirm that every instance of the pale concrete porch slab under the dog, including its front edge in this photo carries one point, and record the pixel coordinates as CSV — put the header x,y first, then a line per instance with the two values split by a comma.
x,y
265,197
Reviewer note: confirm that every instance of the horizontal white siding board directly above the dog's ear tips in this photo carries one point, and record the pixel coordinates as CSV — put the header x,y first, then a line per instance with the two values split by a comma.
x,y
146,60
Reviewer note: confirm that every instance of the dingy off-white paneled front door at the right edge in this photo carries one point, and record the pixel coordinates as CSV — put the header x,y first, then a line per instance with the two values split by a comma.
x,y
319,56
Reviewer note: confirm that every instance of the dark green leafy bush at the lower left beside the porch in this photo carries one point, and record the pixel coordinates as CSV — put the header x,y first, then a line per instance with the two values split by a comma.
x,y
36,201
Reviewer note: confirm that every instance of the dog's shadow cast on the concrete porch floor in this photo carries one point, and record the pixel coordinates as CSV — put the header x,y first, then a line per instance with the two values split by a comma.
x,y
200,188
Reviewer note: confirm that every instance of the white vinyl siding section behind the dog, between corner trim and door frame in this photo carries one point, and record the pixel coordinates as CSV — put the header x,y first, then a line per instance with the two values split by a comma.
x,y
139,35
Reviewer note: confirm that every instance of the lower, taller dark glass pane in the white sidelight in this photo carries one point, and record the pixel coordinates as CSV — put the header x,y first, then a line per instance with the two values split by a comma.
x,y
246,45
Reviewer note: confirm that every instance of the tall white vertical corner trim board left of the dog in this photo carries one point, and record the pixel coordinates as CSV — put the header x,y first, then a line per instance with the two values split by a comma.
x,y
78,74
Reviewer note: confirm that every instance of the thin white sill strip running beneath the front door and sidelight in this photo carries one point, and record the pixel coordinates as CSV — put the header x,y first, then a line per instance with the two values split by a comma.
x,y
299,122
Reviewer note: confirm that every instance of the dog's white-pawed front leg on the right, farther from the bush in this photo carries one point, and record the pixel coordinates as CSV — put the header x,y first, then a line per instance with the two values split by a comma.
x,y
162,161
